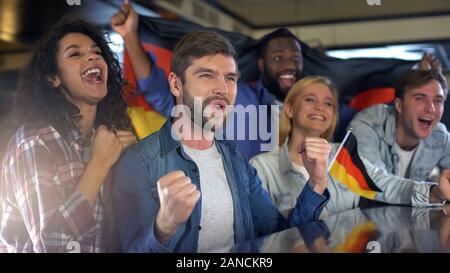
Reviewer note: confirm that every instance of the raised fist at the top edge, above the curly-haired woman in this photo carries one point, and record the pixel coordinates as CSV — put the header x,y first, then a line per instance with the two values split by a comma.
x,y
125,21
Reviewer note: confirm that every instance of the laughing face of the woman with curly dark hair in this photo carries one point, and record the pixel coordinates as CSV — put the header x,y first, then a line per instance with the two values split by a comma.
x,y
82,72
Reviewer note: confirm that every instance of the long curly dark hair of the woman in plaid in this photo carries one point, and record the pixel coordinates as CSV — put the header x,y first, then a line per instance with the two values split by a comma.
x,y
38,101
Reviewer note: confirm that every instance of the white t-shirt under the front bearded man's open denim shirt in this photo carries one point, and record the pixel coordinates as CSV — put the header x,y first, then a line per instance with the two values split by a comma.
x,y
217,216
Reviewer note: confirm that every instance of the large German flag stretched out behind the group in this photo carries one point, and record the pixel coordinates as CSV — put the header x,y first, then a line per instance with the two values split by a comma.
x,y
371,79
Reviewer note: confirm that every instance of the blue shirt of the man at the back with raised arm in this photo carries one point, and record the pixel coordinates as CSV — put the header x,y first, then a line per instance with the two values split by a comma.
x,y
156,91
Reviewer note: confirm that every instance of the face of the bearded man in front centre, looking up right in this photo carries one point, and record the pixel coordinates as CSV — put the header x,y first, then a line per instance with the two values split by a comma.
x,y
212,82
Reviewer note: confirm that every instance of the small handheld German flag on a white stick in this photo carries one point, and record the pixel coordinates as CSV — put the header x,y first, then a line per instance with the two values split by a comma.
x,y
348,168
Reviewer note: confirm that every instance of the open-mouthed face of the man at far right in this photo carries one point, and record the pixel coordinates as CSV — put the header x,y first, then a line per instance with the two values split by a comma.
x,y
420,110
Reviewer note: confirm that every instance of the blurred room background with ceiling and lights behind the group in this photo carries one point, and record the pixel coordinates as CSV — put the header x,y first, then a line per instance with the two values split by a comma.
x,y
342,28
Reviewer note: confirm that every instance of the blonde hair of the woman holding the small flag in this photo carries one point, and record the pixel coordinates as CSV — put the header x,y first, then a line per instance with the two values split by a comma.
x,y
294,92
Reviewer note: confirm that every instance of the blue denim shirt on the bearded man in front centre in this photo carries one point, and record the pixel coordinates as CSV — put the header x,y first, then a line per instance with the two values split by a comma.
x,y
136,201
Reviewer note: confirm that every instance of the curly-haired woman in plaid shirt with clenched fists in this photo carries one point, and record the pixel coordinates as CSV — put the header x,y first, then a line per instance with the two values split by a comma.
x,y
74,127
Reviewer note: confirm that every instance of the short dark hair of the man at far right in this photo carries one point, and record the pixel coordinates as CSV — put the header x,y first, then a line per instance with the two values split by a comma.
x,y
416,78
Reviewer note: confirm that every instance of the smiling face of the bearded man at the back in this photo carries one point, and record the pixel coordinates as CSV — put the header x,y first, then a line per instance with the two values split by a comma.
x,y
282,65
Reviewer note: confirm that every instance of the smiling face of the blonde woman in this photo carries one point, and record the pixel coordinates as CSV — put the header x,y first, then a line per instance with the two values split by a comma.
x,y
312,111
